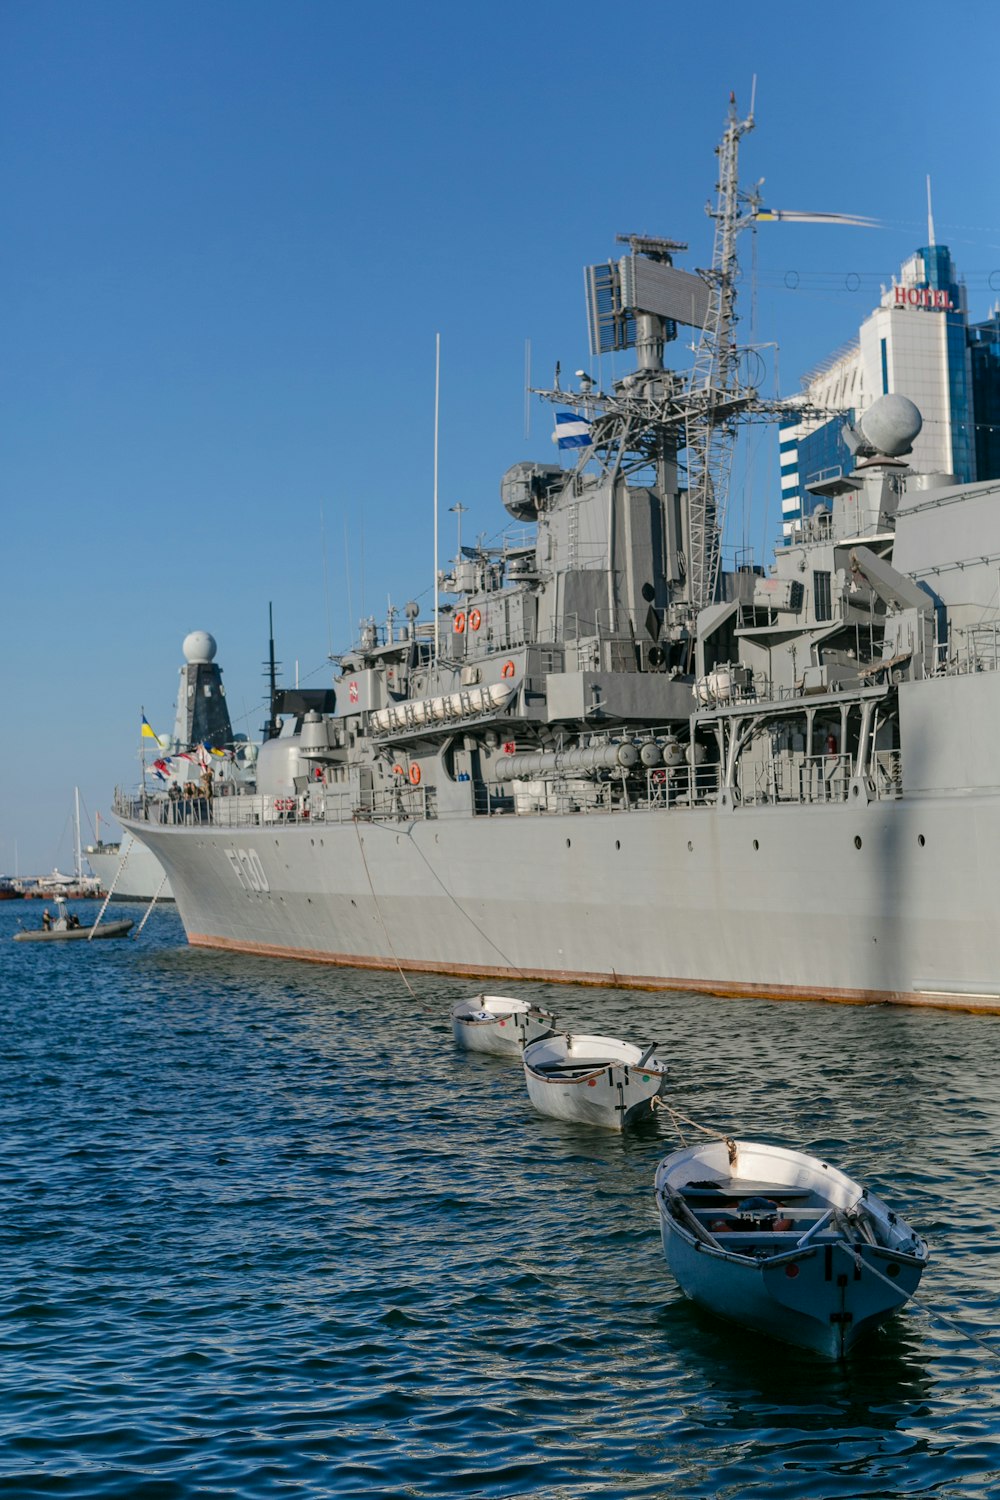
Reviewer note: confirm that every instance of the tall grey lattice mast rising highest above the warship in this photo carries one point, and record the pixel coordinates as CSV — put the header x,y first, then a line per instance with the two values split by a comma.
x,y
714,391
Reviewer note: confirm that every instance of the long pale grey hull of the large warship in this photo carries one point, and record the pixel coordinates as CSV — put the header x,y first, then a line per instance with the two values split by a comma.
x,y
887,902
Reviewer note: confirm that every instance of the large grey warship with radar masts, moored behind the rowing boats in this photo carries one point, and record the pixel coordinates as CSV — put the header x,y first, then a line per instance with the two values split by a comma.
x,y
606,758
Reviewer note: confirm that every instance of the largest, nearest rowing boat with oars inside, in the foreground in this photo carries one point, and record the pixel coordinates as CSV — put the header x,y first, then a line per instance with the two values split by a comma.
x,y
785,1244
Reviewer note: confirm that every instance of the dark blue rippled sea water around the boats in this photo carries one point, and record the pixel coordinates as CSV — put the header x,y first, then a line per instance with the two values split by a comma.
x,y
268,1232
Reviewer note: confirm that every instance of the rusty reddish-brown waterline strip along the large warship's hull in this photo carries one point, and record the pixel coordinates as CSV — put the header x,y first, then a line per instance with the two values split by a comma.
x,y
978,1006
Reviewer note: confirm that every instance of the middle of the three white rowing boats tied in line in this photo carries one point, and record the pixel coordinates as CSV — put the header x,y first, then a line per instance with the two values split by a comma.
x,y
593,1081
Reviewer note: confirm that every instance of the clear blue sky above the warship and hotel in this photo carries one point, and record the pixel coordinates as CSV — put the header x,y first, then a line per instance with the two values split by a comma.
x,y
233,230
